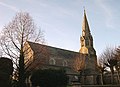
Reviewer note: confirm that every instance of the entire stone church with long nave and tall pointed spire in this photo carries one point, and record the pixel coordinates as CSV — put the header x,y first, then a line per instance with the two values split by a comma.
x,y
43,56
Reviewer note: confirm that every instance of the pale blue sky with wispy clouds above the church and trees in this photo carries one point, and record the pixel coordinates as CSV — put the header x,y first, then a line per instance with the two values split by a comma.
x,y
61,20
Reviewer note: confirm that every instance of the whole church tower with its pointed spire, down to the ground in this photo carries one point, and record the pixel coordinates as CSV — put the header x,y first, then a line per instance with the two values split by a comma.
x,y
87,49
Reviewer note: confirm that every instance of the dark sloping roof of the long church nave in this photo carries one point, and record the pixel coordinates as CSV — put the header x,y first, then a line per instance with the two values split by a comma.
x,y
36,47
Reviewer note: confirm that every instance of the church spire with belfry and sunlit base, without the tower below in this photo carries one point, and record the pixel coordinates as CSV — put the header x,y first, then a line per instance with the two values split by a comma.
x,y
86,38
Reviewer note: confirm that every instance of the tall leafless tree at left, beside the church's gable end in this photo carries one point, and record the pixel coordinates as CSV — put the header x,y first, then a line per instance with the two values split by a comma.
x,y
13,38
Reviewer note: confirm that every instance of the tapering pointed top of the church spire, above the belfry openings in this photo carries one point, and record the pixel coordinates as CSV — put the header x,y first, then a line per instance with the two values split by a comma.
x,y
85,25
